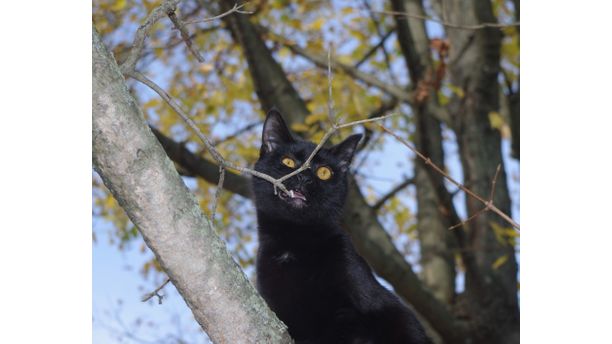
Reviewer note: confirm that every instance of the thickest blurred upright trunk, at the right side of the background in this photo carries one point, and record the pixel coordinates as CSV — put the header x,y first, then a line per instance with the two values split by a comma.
x,y
476,71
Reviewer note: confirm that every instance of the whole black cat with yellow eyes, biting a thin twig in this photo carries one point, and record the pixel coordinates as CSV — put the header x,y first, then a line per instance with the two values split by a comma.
x,y
307,268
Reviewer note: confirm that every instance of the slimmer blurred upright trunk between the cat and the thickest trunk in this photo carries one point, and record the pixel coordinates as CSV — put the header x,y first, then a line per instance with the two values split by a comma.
x,y
434,238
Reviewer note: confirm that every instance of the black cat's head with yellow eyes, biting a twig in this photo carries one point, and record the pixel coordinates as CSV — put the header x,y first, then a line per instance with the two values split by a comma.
x,y
317,193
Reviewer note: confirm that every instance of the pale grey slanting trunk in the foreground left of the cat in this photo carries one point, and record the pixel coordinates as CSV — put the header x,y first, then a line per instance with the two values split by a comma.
x,y
140,176
